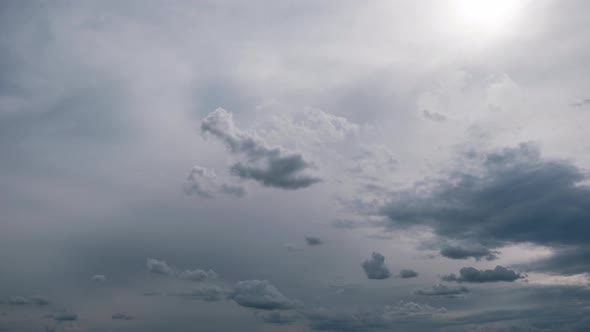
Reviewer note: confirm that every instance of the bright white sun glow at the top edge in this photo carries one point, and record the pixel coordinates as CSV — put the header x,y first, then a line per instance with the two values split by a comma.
x,y
487,15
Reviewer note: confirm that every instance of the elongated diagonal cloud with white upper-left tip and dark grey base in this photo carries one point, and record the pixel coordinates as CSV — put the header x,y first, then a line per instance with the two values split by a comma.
x,y
269,166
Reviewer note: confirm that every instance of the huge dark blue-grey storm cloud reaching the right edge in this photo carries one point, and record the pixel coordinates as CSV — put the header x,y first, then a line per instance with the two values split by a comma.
x,y
518,197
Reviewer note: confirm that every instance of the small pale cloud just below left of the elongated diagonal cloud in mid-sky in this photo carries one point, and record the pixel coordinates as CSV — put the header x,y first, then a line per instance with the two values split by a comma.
x,y
203,182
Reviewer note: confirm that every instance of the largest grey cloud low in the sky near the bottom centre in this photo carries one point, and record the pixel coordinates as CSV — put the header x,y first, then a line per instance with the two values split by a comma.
x,y
260,294
